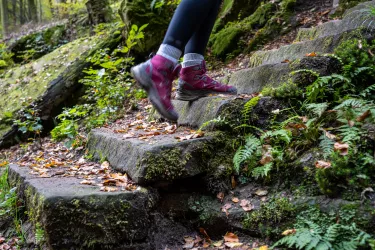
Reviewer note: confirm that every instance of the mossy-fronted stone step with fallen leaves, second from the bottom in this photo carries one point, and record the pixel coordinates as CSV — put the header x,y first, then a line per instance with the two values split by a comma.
x,y
165,159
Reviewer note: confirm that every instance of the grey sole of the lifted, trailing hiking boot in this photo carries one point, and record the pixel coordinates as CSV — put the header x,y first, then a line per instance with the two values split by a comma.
x,y
147,84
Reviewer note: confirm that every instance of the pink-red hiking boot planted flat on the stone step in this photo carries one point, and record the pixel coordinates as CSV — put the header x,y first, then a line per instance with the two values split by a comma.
x,y
194,84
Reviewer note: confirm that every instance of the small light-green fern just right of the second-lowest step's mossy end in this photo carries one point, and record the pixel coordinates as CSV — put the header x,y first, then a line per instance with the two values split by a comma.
x,y
249,151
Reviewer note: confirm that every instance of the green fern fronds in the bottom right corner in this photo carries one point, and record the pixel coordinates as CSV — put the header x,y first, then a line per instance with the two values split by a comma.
x,y
315,230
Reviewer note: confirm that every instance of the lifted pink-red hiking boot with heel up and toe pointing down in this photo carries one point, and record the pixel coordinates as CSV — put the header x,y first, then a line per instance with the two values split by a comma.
x,y
156,77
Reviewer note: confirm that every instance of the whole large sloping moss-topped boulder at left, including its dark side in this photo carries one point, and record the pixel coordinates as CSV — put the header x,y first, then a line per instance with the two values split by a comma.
x,y
45,83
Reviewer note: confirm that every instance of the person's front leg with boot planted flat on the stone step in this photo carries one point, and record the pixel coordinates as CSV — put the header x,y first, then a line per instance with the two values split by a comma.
x,y
193,82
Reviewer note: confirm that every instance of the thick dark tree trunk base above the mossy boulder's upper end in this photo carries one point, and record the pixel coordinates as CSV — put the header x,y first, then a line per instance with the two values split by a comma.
x,y
99,11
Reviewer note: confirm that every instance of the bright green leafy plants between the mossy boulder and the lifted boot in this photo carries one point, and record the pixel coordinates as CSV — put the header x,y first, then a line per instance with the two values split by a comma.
x,y
108,86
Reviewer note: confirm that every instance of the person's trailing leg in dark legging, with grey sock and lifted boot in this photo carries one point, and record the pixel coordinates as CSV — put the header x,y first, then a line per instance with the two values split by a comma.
x,y
157,74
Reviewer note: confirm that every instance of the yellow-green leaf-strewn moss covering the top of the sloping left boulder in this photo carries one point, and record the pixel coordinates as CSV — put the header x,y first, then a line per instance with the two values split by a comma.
x,y
29,82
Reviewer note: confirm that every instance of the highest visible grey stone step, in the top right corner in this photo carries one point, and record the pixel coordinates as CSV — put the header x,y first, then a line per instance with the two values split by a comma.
x,y
353,19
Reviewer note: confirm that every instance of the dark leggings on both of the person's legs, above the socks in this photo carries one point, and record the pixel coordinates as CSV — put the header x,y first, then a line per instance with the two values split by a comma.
x,y
192,24
